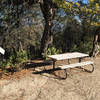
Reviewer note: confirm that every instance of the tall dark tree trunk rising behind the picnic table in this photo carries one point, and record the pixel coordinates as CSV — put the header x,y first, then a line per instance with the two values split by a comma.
x,y
48,12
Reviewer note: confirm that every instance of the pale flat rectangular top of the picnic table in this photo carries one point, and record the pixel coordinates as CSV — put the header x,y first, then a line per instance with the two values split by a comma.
x,y
68,56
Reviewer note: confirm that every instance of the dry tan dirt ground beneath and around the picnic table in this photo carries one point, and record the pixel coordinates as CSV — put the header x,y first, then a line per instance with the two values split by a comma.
x,y
27,85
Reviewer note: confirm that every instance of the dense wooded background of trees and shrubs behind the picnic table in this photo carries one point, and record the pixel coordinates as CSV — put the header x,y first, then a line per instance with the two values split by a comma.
x,y
22,28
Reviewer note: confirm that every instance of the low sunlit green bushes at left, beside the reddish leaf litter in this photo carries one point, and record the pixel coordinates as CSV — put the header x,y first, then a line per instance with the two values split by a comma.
x,y
14,58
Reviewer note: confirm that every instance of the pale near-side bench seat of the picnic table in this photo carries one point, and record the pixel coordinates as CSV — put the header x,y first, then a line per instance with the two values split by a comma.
x,y
76,64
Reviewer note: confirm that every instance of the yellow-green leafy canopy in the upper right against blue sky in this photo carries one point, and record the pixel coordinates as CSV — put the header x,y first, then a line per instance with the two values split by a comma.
x,y
92,9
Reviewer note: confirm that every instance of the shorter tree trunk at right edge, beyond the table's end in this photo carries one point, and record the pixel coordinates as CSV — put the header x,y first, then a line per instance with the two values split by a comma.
x,y
95,49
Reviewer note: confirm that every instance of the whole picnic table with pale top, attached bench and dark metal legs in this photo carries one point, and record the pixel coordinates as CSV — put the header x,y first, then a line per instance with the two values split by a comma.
x,y
69,56
